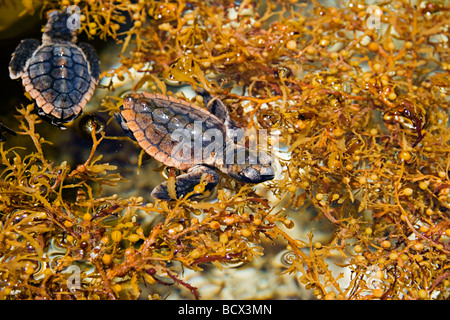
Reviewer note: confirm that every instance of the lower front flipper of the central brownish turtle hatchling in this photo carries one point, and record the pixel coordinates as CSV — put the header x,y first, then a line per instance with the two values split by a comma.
x,y
186,183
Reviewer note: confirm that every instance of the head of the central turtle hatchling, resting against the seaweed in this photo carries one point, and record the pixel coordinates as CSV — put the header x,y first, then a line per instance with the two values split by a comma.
x,y
251,166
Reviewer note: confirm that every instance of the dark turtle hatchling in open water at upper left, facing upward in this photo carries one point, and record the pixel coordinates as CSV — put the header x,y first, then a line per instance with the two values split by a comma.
x,y
59,74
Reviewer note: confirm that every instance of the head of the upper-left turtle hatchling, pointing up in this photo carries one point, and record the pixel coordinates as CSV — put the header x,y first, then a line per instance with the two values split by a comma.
x,y
60,27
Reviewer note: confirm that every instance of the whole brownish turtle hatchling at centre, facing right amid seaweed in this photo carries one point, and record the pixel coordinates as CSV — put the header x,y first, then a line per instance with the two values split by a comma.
x,y
168,129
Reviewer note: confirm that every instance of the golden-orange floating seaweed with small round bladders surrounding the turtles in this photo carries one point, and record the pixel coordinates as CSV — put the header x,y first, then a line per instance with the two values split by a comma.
x,y
357,97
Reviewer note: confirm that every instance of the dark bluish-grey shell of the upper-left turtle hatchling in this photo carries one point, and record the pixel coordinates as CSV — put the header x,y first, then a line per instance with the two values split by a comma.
x,y
59,79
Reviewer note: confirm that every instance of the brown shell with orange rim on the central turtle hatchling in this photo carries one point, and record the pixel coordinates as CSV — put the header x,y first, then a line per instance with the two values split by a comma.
x,y
166,128
